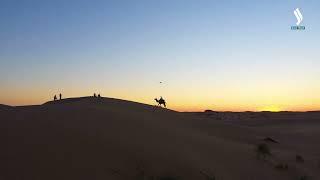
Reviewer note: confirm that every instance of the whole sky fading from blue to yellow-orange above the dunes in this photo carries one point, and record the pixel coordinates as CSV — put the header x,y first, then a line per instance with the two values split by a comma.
x,y
221,55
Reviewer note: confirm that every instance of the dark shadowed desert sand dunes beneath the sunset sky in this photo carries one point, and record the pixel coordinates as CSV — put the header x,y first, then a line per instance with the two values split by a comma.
x,y
89,138
